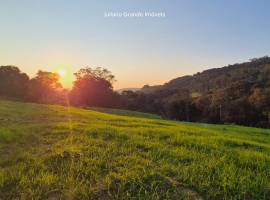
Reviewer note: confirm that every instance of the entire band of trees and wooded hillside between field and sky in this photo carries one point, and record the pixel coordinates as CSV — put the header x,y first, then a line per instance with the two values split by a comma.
x,y
237,94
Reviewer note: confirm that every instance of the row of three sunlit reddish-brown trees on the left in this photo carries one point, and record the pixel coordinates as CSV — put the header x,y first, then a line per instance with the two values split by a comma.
x,y
92,87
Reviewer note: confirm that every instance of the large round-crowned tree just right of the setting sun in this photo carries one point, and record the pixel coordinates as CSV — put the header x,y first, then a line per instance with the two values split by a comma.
x,y
93,87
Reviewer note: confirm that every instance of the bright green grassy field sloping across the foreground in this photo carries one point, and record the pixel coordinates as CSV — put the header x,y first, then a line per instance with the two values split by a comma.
x,y
54,152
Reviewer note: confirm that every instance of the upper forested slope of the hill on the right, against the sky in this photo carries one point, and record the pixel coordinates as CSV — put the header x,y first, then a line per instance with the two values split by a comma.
x,y
256,70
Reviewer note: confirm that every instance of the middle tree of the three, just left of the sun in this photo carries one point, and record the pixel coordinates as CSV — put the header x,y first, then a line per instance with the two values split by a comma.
x,y
43,87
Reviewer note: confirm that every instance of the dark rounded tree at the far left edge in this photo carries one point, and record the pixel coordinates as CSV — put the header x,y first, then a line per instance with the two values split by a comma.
x,y
12,82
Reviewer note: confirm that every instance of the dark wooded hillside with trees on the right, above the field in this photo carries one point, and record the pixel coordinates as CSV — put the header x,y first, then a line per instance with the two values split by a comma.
x,y
238,93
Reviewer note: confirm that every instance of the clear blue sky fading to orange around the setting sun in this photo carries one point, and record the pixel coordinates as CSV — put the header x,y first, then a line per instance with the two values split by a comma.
x,y
194,35
